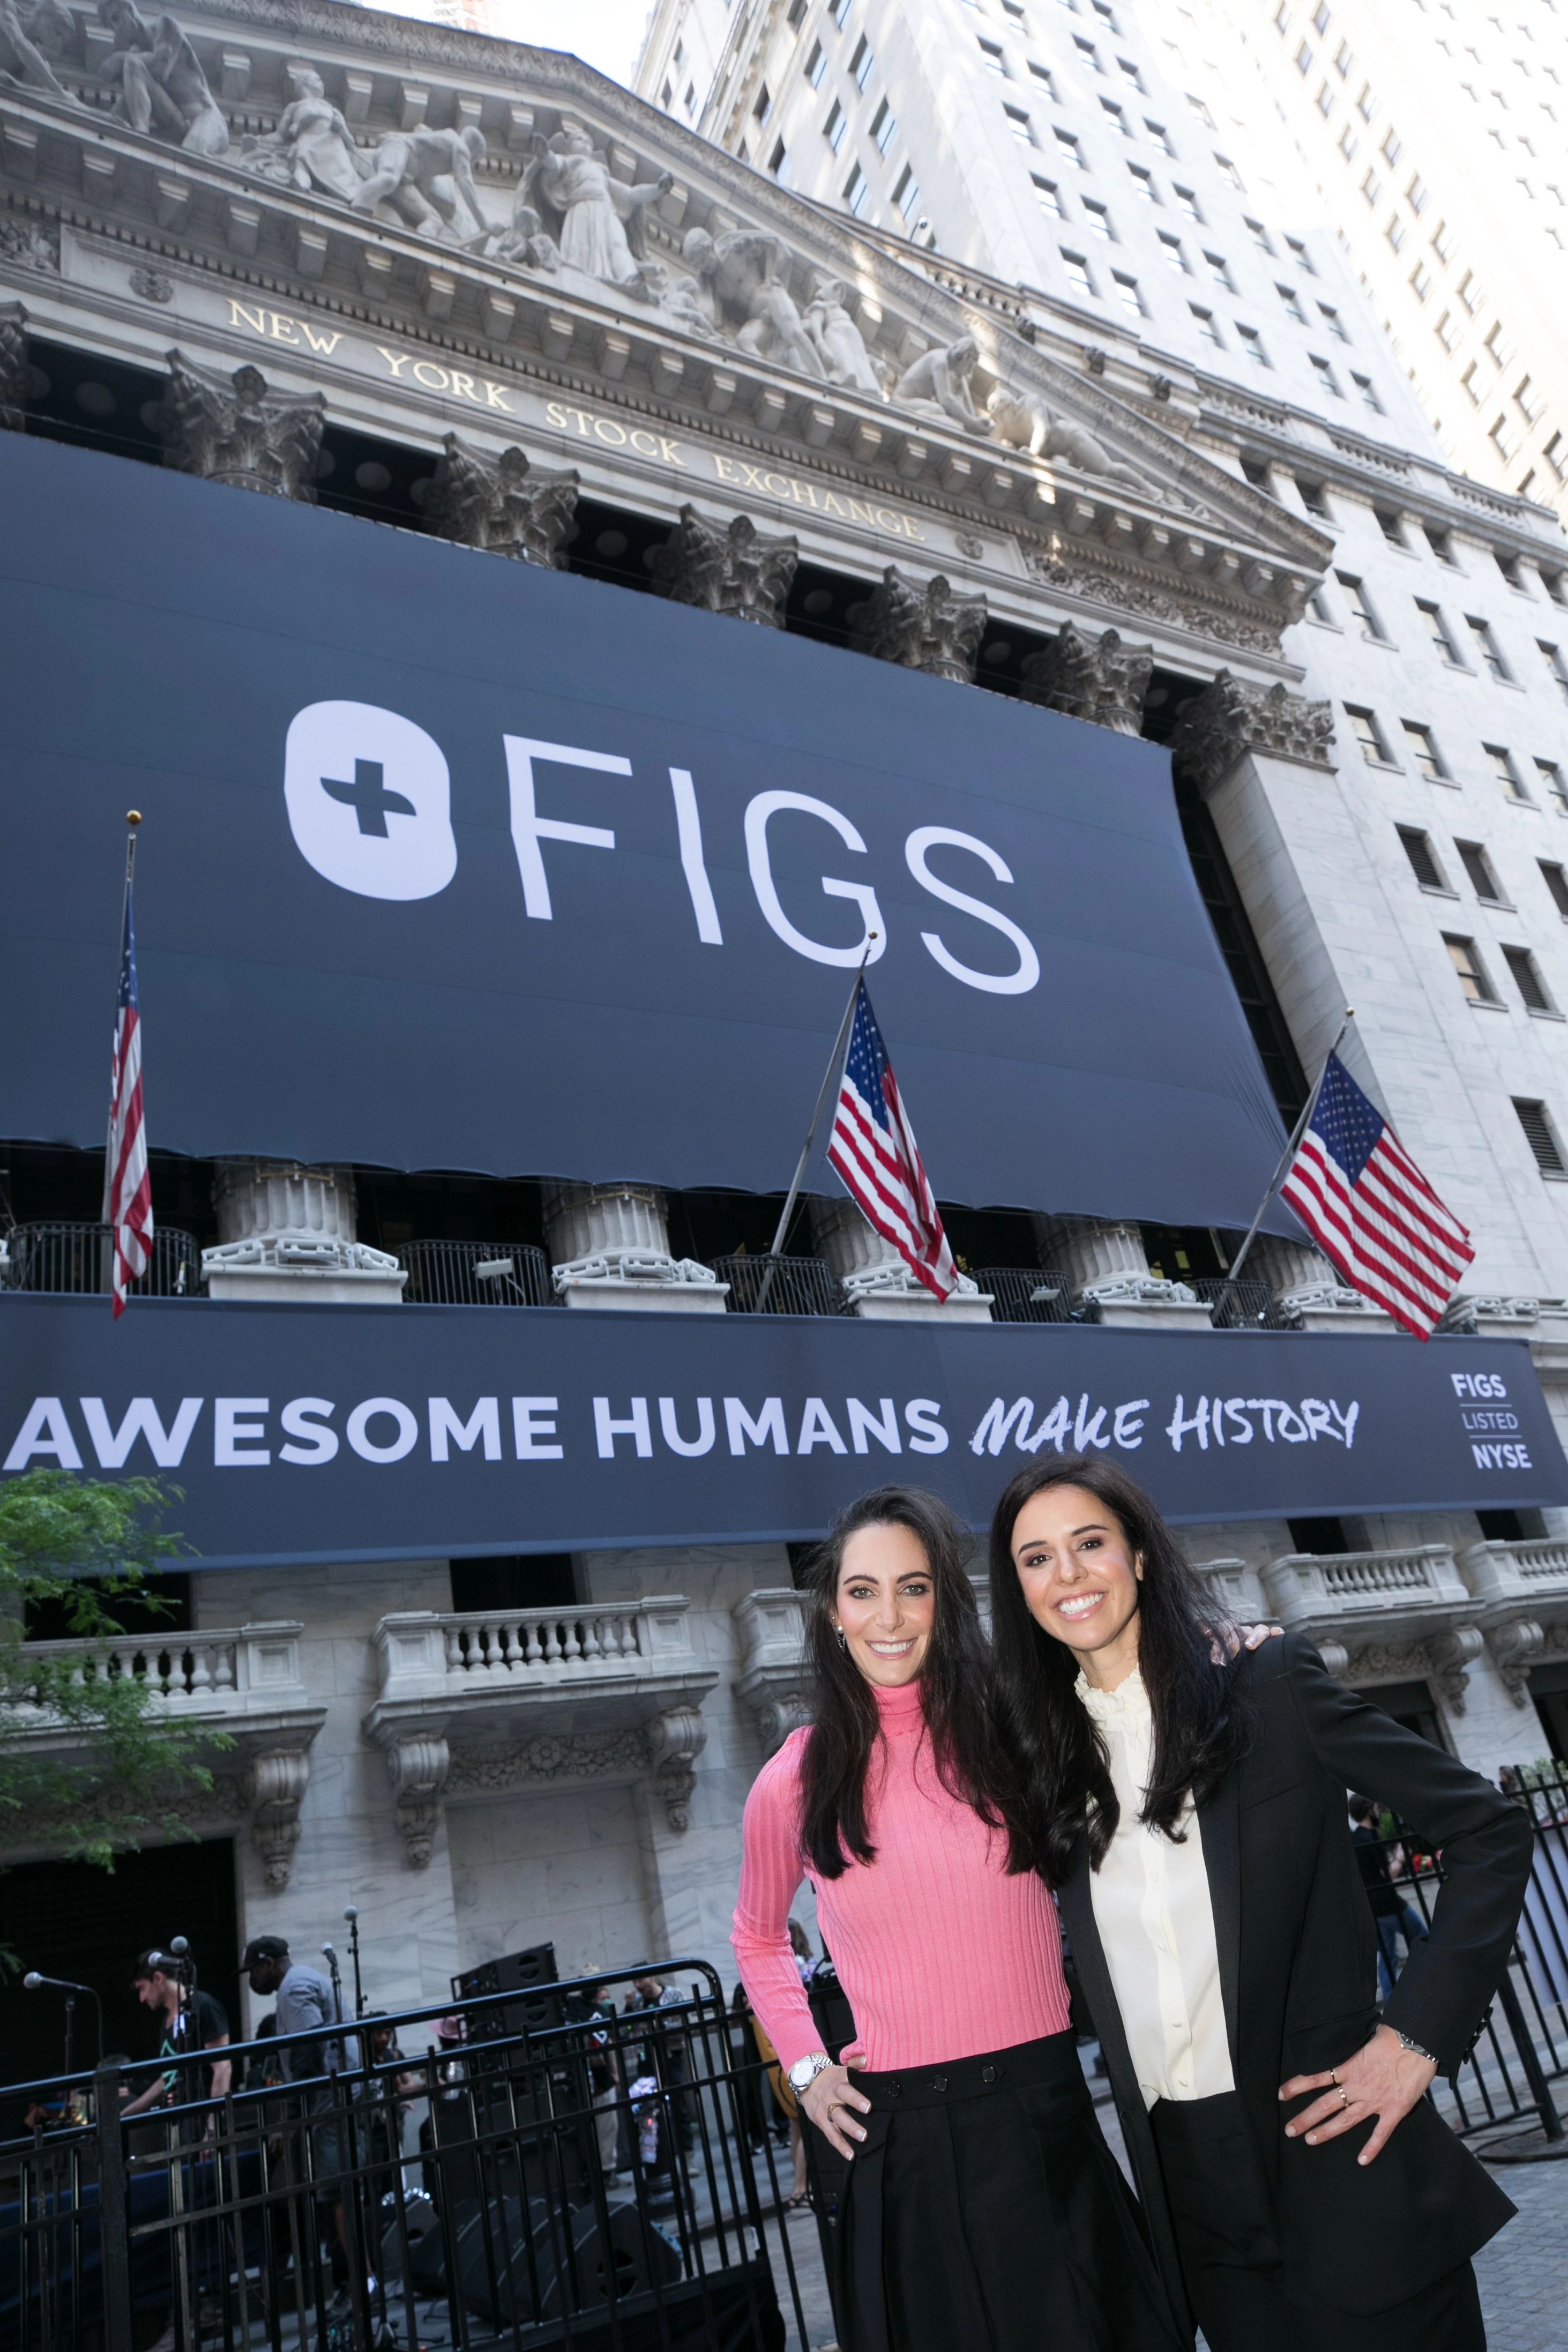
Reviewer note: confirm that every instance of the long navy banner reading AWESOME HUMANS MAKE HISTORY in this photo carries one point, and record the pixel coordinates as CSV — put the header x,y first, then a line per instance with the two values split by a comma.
x,y
398,1434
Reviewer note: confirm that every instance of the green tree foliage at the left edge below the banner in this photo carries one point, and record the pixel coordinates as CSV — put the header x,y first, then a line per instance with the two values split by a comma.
x,y
88,1753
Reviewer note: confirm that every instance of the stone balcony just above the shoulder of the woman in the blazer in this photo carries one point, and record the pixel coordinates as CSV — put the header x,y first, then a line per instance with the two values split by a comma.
x,y
1383,1617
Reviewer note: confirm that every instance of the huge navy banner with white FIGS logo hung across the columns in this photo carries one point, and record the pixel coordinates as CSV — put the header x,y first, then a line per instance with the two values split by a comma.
x,y
464,864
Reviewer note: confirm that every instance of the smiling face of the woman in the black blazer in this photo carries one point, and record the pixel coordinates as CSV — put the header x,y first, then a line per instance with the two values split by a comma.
x,y
1080,1579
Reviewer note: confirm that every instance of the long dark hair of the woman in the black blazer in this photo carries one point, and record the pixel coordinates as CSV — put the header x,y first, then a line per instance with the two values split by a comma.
x,y
1202,1723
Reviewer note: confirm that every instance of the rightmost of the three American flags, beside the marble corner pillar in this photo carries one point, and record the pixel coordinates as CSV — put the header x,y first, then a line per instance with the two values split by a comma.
x,y
1372,1210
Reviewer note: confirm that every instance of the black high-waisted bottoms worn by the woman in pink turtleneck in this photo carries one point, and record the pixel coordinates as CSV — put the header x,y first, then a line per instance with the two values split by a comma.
x,y
986,2214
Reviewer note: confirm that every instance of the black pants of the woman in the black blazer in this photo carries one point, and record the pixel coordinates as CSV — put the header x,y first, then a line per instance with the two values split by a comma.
x,y
1231,2254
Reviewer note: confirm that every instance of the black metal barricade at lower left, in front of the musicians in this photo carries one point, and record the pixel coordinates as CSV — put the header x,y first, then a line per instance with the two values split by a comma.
x,y
601,2179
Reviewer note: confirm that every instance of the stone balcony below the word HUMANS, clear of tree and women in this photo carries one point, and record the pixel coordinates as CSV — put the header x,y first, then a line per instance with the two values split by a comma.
x,y
483,1704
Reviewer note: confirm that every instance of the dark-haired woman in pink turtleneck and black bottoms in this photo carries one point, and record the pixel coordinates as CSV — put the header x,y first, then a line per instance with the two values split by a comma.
x,y
984,2207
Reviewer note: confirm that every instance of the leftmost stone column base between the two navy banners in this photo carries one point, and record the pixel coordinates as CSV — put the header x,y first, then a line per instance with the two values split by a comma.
x,y
290,1234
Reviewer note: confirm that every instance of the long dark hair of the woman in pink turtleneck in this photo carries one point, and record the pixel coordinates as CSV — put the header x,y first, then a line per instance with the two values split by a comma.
x,y
956,1688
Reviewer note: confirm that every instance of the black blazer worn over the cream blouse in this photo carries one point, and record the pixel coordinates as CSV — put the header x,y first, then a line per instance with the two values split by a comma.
x,y
1299,1975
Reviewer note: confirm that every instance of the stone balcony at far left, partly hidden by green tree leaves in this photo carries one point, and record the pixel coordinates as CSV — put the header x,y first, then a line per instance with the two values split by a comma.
x,y
243,1683
